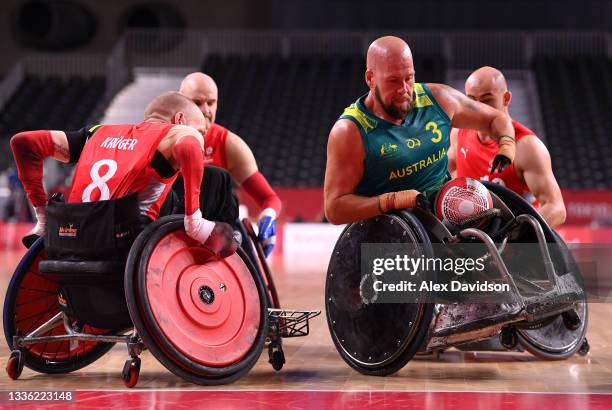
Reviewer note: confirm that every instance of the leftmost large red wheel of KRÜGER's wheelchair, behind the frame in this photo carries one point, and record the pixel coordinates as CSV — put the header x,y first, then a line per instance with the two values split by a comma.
x,y
31,300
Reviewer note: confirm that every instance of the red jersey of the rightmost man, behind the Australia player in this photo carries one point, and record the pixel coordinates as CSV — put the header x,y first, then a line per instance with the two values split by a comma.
x,y
474,160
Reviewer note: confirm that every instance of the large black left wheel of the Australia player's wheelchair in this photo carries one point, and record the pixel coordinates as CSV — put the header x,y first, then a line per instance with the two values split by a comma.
x,y
374,338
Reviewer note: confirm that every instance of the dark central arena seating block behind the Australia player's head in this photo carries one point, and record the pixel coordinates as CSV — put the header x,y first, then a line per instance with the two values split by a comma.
x,y
284,108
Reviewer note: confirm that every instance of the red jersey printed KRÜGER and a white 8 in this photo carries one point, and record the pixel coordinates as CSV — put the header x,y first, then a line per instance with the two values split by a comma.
x,y
116,160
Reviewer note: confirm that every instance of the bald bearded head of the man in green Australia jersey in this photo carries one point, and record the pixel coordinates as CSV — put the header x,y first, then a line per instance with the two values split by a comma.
x,y
390,77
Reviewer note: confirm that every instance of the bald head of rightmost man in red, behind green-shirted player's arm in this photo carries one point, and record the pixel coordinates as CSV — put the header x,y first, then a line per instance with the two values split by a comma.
x,y
488,85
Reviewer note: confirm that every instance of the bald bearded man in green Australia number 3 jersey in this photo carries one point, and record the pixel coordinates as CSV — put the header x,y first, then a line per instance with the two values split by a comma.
x,y
392,143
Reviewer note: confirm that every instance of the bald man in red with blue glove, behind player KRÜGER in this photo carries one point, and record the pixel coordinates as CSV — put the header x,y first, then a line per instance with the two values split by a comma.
x,y
228,151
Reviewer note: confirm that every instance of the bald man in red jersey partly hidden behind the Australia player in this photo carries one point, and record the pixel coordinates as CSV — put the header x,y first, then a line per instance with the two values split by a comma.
x,y
530,175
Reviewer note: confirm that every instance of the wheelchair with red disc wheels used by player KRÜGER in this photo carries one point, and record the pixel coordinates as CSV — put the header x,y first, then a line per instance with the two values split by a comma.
x,y
205,318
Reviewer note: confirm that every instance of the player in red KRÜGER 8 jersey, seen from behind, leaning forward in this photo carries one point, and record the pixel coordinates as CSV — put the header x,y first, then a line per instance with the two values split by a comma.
x,y
114,160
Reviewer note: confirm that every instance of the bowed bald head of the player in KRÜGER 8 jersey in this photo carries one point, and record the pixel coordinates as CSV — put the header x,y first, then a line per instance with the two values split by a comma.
x,y
175,108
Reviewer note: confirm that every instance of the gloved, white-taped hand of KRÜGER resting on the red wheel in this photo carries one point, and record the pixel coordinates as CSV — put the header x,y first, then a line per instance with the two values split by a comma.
x,y
218,237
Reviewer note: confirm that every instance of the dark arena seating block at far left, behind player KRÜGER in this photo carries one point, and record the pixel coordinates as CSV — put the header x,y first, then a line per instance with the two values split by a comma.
x,y
48,103
